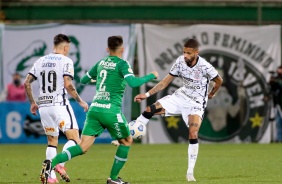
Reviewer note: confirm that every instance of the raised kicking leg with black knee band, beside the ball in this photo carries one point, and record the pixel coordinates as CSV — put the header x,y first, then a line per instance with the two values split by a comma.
x,y
150,111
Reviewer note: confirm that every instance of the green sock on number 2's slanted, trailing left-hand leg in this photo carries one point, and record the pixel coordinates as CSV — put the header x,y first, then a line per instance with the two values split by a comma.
x,y
67,155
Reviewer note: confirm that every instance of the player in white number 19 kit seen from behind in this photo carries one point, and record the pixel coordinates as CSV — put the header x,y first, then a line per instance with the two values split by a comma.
x,y
55,72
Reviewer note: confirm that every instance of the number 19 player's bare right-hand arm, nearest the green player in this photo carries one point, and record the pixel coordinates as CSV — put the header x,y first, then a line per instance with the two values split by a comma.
x,y
73,93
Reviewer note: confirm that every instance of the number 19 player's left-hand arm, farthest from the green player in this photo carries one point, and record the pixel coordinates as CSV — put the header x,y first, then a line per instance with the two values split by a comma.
x,y
27,85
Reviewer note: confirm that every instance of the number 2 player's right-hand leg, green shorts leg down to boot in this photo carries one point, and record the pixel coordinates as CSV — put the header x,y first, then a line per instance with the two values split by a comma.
x,y
118,128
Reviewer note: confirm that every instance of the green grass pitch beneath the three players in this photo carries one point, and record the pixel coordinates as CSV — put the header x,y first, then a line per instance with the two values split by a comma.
x,y
217,163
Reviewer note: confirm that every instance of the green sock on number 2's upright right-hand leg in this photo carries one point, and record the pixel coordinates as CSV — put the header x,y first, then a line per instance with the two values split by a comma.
x,y
120,159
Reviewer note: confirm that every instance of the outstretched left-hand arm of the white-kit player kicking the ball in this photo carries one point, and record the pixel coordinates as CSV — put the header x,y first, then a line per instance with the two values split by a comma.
x,y
160,86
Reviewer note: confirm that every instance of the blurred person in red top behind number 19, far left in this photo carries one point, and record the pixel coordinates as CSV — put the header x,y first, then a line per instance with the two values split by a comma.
x,y
14,91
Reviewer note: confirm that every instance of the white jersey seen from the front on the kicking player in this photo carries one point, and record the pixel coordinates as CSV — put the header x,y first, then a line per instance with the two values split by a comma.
x,y
195,79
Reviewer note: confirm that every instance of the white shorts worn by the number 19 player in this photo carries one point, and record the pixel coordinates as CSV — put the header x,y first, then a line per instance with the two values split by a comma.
x,y
54,118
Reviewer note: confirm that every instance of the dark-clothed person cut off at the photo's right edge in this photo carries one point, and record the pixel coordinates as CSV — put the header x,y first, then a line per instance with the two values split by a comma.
x,y
276,93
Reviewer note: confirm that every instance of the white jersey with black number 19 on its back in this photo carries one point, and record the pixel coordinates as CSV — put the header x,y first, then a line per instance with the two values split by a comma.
x,y
50,70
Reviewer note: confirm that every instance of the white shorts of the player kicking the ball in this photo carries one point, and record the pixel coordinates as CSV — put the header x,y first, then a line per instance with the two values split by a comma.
x,y
176,106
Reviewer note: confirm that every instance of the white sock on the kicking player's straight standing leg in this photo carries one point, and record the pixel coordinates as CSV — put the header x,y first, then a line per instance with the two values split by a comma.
x,y
192,157
